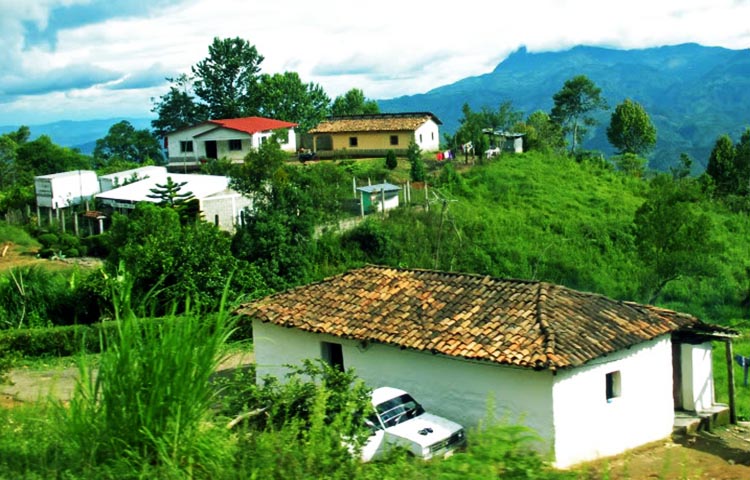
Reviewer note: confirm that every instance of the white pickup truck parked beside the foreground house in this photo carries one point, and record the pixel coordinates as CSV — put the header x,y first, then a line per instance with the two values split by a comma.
x,y
399,421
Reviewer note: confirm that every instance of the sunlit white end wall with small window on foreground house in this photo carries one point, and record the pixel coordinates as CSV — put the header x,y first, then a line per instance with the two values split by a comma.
x,y
587,426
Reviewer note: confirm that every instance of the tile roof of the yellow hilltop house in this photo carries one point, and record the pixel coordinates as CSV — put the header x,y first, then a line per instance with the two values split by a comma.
x,y
384,122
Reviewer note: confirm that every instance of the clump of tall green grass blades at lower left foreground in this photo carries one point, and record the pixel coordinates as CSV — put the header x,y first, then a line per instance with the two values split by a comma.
x,y
147,410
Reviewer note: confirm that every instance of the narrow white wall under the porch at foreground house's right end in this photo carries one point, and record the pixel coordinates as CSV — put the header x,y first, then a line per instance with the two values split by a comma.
x,y
697,376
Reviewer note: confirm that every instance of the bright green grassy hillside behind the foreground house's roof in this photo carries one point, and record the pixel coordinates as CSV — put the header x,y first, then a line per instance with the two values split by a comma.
x,y
553,219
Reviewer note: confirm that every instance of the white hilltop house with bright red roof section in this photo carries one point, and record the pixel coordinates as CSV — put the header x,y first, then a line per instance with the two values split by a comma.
x,y
229,138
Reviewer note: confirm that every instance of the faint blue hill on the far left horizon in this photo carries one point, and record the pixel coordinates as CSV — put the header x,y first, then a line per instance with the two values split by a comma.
x,y
81,134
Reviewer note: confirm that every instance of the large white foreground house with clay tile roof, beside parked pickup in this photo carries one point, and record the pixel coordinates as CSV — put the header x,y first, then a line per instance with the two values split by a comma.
x,y
592,375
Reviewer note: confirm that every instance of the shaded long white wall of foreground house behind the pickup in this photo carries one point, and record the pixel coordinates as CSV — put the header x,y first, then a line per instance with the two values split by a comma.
x,y
457,389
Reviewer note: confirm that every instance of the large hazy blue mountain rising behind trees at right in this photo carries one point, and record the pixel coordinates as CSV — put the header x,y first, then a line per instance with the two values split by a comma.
x,y
693,93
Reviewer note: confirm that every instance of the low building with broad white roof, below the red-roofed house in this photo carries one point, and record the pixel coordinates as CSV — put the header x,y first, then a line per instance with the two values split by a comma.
x,y
217,203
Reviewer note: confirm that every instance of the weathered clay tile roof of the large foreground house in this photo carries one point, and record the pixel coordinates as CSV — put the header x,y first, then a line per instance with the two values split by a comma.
x,y
528,324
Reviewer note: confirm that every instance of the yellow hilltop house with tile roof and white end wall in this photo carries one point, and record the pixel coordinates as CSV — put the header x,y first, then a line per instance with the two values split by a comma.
x,y
376,134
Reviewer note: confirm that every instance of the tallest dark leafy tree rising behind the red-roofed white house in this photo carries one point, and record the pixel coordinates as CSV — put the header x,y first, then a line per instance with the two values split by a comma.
x,y
226,80
